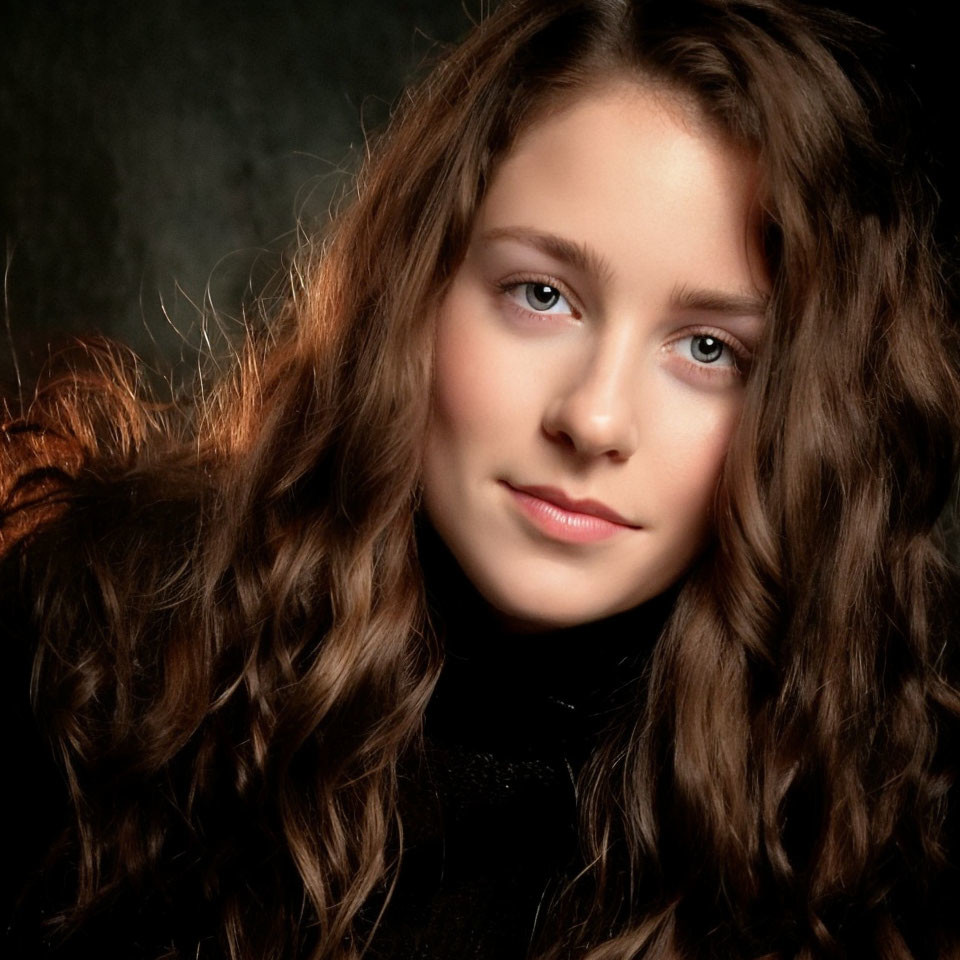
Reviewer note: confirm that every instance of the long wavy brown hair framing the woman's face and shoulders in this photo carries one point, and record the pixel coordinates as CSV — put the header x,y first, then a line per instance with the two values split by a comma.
x,y
231,646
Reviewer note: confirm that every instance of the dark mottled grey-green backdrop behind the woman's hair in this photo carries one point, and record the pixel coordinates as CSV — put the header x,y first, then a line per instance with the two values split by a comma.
x,y
152,154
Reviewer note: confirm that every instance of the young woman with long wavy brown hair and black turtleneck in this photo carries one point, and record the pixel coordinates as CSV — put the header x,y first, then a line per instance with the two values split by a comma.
x,y
559,572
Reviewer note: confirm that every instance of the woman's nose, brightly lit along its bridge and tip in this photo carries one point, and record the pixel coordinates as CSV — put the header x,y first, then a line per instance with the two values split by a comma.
x,y
595,412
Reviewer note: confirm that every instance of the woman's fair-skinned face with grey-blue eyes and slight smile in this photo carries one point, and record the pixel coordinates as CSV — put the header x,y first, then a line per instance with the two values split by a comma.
x,y
592,347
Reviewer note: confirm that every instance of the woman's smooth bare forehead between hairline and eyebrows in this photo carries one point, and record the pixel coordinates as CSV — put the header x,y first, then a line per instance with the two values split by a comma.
x,y
634,173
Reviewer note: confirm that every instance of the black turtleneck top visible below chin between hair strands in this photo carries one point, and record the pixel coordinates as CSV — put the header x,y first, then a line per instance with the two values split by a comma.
x,y
489,812
